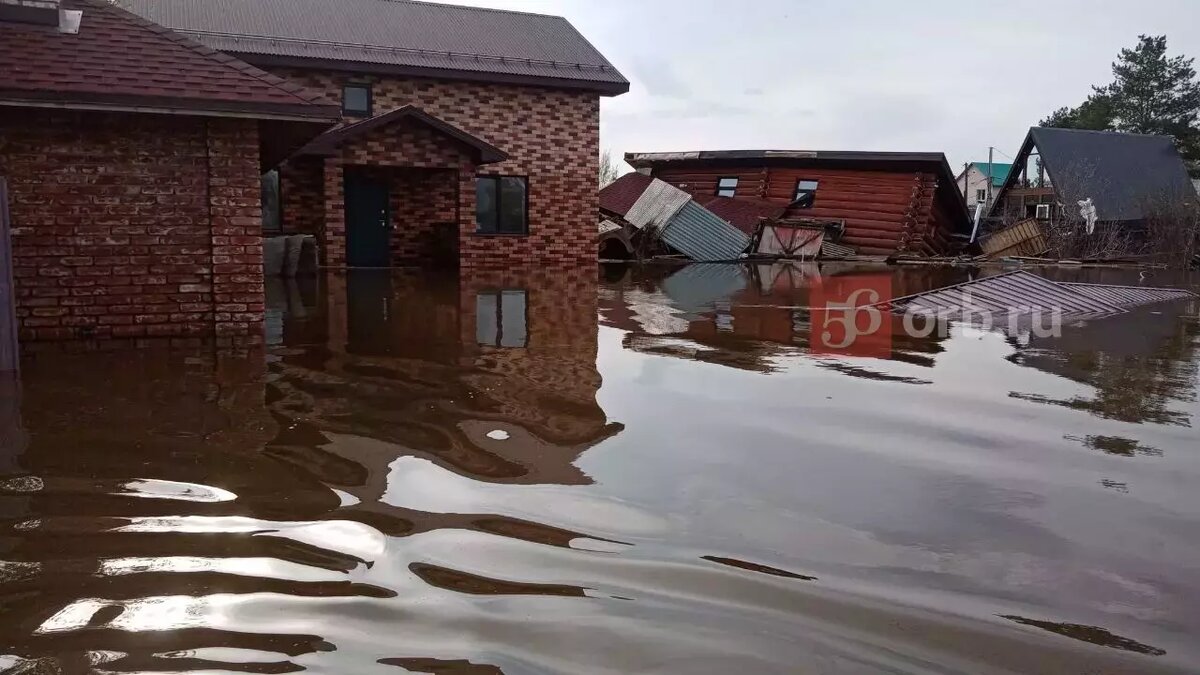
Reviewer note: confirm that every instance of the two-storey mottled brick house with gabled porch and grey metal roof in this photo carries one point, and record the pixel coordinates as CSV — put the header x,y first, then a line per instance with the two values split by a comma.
x,y
470,136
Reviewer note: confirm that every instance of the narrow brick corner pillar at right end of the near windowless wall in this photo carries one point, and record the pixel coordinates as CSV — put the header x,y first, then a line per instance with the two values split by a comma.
x,y
237,228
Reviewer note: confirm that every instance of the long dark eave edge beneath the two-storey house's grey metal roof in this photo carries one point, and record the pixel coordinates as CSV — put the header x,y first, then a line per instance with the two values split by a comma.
x,y
267,61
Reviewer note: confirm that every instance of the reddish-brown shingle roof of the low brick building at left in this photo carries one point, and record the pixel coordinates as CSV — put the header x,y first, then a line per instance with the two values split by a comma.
x,y
119,59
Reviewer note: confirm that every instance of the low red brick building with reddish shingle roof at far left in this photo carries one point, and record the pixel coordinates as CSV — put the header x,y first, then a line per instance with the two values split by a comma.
x,y
134,159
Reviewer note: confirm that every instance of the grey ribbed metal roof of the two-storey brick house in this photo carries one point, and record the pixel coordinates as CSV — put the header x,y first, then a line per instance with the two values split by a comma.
x,y
415,38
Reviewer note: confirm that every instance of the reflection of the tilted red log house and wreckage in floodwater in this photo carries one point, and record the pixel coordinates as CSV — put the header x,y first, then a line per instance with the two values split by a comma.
x,y
743,316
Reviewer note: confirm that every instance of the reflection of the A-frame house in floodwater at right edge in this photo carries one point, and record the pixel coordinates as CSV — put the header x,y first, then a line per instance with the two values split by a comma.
x,y
1141,363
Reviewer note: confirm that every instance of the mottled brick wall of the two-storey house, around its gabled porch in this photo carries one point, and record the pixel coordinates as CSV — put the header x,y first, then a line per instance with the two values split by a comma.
x,y
553,138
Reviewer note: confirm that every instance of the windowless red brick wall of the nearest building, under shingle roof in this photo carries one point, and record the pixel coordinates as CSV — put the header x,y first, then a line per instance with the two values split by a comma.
x,y
134,225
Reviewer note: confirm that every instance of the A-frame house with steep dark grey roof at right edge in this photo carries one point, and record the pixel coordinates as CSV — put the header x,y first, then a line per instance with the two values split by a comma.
x,y
1125,175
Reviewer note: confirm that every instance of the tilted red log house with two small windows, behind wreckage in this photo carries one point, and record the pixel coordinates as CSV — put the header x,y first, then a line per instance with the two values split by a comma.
x,y
889,202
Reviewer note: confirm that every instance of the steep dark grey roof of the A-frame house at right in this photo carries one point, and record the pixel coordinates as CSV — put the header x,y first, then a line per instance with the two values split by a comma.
x,y
1120,172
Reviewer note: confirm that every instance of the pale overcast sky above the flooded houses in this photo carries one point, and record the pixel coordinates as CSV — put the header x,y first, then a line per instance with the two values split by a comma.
x,y
863,75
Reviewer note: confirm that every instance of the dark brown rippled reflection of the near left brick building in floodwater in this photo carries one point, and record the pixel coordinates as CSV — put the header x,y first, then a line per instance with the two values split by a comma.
x,y
119,450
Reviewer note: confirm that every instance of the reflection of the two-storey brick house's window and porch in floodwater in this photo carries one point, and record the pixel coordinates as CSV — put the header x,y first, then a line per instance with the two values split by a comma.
x,y
427,367
